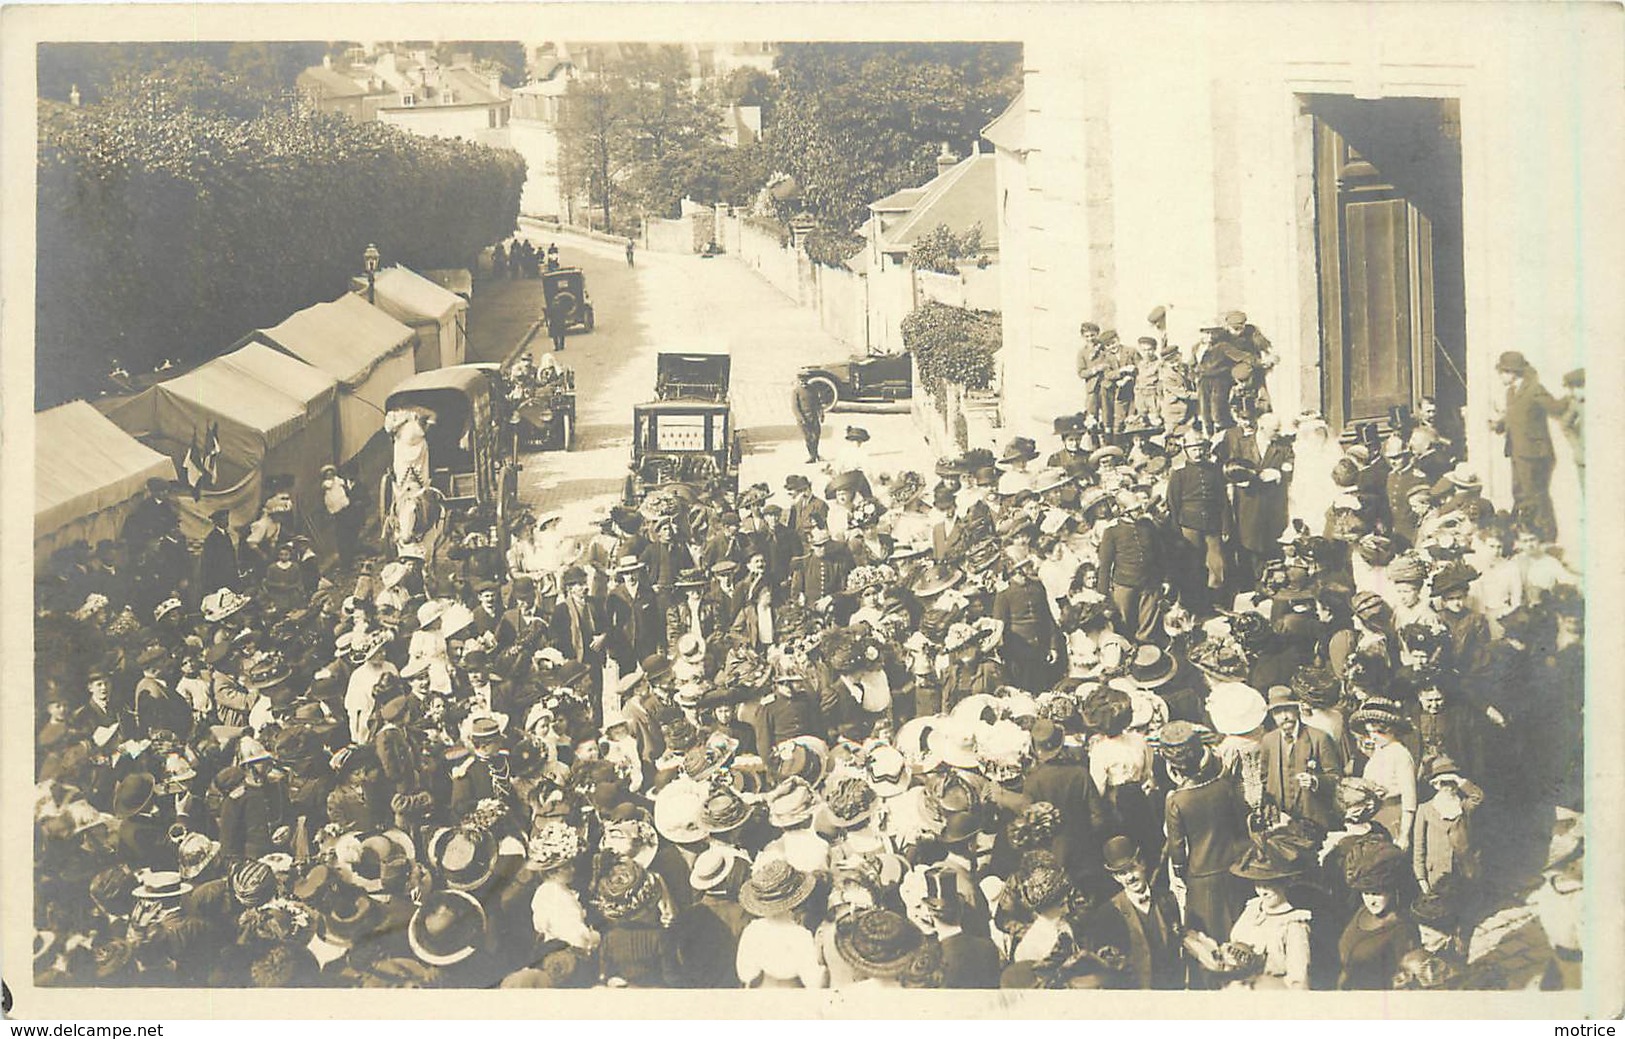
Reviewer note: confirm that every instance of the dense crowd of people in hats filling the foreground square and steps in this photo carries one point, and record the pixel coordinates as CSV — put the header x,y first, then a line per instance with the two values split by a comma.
x,y
1205,700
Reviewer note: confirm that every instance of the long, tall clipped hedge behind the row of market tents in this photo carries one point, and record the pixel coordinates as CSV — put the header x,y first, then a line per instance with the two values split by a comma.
x,y
170,230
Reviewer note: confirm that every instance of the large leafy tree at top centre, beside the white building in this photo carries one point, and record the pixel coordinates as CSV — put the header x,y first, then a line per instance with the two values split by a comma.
x,y
854,123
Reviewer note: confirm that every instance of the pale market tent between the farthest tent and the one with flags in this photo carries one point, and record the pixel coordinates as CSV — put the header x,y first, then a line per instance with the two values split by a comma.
x,y
363,349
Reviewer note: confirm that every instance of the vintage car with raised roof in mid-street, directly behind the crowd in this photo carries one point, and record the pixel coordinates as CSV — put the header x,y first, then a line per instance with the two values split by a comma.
x,y
687,435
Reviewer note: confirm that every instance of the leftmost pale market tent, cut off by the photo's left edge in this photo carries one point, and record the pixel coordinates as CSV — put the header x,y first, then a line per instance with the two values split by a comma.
x,y
89,477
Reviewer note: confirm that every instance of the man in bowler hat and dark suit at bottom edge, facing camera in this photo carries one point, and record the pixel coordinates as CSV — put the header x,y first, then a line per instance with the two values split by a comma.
x,y
1140,921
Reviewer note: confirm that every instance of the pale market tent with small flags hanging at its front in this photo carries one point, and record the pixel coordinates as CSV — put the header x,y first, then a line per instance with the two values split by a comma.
x,y
275,417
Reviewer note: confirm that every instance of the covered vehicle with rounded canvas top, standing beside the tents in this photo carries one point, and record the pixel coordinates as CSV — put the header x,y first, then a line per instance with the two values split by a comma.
x,y
453,422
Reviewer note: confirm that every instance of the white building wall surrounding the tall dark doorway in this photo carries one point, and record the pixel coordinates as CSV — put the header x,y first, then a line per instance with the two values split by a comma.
x,y
1197,196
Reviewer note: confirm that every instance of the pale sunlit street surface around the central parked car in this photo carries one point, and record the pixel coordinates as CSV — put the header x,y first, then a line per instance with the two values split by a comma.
x,y
672,303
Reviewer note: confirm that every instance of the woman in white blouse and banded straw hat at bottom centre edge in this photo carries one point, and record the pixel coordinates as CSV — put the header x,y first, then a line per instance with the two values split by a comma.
x,y
778,949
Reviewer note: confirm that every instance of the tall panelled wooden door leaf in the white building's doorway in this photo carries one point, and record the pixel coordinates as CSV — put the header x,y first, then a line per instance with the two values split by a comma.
x,y
1377,287
